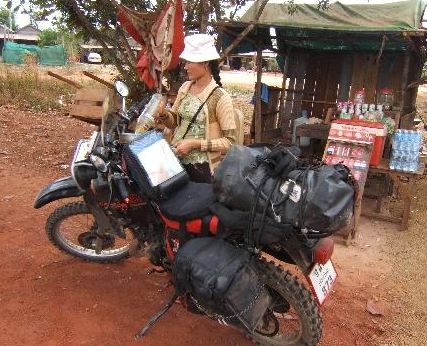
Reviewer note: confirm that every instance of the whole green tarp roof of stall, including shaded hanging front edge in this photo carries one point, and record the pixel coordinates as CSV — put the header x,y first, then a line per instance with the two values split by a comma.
x,y
341,27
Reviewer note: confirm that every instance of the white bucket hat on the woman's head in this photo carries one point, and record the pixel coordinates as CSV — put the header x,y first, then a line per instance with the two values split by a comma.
x,y
199,48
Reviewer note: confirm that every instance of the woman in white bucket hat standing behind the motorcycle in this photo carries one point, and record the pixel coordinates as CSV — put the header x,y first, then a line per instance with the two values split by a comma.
x,y
201,144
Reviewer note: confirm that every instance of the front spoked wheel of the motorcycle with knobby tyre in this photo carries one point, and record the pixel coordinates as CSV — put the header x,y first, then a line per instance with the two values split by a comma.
x,y
72,228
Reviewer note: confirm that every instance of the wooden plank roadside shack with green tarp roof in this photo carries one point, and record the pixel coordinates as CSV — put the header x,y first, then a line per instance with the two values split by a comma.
x,y
328,55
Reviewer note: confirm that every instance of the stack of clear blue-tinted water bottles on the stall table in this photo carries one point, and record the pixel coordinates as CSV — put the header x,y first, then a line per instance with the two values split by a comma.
x,y
406,150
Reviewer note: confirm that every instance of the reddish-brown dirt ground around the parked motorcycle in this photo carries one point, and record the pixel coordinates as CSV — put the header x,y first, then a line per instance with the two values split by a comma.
x,y
50,298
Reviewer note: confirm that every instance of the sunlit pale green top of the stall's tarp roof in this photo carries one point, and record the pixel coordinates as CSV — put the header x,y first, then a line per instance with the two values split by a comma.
x,y
386,17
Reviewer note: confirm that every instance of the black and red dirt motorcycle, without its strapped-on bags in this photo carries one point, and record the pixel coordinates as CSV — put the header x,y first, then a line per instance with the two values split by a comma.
x,y
116,219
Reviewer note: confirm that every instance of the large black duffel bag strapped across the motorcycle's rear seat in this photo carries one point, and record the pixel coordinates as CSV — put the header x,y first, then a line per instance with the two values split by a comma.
x,y
316,198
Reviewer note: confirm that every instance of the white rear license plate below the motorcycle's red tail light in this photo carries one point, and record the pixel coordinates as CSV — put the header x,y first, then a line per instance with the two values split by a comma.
x,y
322,278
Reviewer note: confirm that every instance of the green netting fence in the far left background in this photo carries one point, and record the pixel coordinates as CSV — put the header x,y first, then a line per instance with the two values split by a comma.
x,y
14,53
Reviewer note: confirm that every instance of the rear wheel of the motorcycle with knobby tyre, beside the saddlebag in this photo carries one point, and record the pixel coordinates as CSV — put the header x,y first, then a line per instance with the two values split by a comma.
x,y
294,317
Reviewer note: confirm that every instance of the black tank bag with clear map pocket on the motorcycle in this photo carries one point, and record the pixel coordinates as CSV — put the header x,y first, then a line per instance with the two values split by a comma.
x,y
153,166
